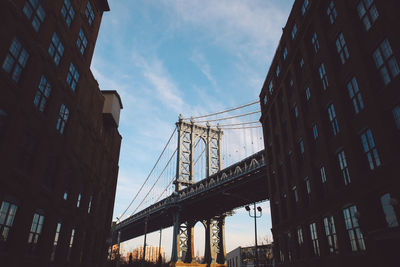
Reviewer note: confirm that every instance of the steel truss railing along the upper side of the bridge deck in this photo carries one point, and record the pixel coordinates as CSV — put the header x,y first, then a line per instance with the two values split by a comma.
x,y
228,174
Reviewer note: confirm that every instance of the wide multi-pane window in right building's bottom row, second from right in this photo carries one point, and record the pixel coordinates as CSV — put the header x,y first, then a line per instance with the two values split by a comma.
x,y
353,228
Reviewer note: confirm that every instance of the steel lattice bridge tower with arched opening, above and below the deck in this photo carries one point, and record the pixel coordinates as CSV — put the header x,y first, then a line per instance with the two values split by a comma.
x,y
182,247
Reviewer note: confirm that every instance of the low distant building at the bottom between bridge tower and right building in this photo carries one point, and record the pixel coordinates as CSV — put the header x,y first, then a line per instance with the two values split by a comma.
x,y
244,257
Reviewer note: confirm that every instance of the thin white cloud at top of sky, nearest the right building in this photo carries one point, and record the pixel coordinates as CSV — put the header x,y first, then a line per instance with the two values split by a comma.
x,y
246,27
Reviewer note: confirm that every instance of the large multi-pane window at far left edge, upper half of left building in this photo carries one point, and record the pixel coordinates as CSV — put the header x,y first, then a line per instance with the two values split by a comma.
x,y
15,60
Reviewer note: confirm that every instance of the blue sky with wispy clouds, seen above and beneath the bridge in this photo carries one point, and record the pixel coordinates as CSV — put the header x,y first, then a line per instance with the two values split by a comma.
x,y
189,57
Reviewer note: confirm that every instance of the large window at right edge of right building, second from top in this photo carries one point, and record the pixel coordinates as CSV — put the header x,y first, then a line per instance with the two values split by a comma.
x,y
386,62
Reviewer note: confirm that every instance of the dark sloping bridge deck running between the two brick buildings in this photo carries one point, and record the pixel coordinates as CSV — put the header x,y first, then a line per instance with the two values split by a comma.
x,y
237,185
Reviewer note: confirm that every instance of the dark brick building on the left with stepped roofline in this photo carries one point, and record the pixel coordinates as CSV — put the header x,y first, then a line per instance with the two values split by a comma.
x,y
59,139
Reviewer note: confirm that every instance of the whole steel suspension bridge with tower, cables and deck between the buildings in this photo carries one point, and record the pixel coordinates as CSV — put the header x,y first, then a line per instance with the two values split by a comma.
x,y
189,182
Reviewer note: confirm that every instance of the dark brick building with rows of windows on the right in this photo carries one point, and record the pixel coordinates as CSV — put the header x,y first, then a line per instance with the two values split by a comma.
x,y
331,120
